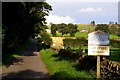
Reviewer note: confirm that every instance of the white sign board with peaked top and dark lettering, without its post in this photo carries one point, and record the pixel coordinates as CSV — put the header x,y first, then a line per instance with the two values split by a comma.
x,y
98,43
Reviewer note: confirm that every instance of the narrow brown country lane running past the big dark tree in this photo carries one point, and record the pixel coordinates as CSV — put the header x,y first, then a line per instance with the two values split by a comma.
x,y
31,66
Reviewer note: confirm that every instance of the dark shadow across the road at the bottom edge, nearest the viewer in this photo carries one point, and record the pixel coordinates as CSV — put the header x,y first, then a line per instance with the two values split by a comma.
x,y
25,75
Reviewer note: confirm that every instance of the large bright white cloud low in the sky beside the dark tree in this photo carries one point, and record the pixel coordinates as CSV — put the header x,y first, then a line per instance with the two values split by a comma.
x,y
59,19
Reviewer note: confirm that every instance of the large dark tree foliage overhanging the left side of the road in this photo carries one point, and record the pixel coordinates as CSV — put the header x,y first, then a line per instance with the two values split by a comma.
x,y
22,20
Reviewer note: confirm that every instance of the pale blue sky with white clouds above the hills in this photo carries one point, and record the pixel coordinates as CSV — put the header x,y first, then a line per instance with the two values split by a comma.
x,y
79,11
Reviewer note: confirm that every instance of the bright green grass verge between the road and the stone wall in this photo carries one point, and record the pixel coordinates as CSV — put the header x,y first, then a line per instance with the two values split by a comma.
x,y
61,68
